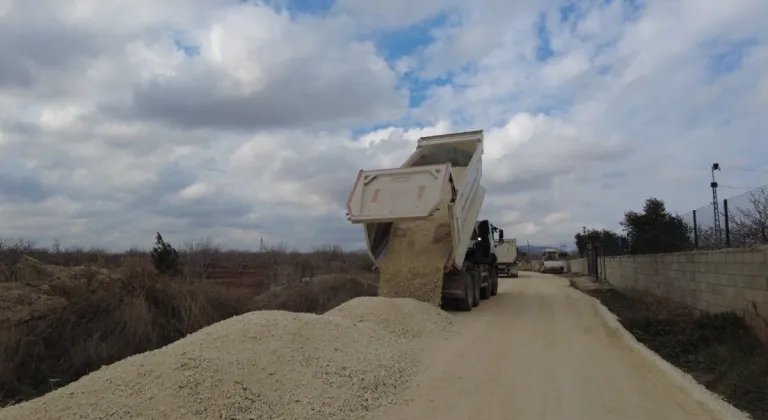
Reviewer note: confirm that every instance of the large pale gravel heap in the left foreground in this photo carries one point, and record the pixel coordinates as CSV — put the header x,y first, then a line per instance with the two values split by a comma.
x,y
261,365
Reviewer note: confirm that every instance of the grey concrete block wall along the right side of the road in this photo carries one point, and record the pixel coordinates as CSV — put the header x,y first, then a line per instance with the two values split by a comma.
x,y
712,281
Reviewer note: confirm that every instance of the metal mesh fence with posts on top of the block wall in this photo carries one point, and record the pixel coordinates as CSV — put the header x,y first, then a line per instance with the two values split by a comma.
x,y
743,221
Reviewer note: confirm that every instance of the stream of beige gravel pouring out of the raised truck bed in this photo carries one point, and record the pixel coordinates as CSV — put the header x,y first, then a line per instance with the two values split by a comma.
x,y
413,263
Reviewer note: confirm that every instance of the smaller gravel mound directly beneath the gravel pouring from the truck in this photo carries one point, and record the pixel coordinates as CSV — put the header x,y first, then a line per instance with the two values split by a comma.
x,y
405,318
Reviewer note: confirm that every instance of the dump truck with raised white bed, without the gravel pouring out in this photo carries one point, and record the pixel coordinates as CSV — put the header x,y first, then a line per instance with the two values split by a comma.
x,y
443,171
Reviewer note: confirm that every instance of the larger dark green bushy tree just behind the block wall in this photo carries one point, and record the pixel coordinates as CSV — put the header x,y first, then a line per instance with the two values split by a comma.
x,y
655,230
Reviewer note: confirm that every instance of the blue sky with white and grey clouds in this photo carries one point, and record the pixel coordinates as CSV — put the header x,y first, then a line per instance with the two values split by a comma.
x,y
241,120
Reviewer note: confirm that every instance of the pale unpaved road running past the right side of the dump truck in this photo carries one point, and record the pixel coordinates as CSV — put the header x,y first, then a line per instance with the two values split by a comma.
x,y
542,350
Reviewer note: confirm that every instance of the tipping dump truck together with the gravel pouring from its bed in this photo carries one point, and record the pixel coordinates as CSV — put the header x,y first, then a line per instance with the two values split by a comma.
x,y
424,215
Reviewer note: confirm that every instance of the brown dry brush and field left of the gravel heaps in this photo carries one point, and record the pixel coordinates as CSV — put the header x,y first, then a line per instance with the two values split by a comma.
x,y
65,313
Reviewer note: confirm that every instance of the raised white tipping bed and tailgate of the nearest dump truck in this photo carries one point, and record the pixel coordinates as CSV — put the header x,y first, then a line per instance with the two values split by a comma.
x,y
415,191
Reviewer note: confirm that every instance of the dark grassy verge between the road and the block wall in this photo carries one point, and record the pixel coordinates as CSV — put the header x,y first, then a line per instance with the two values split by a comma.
x,y
720,350
